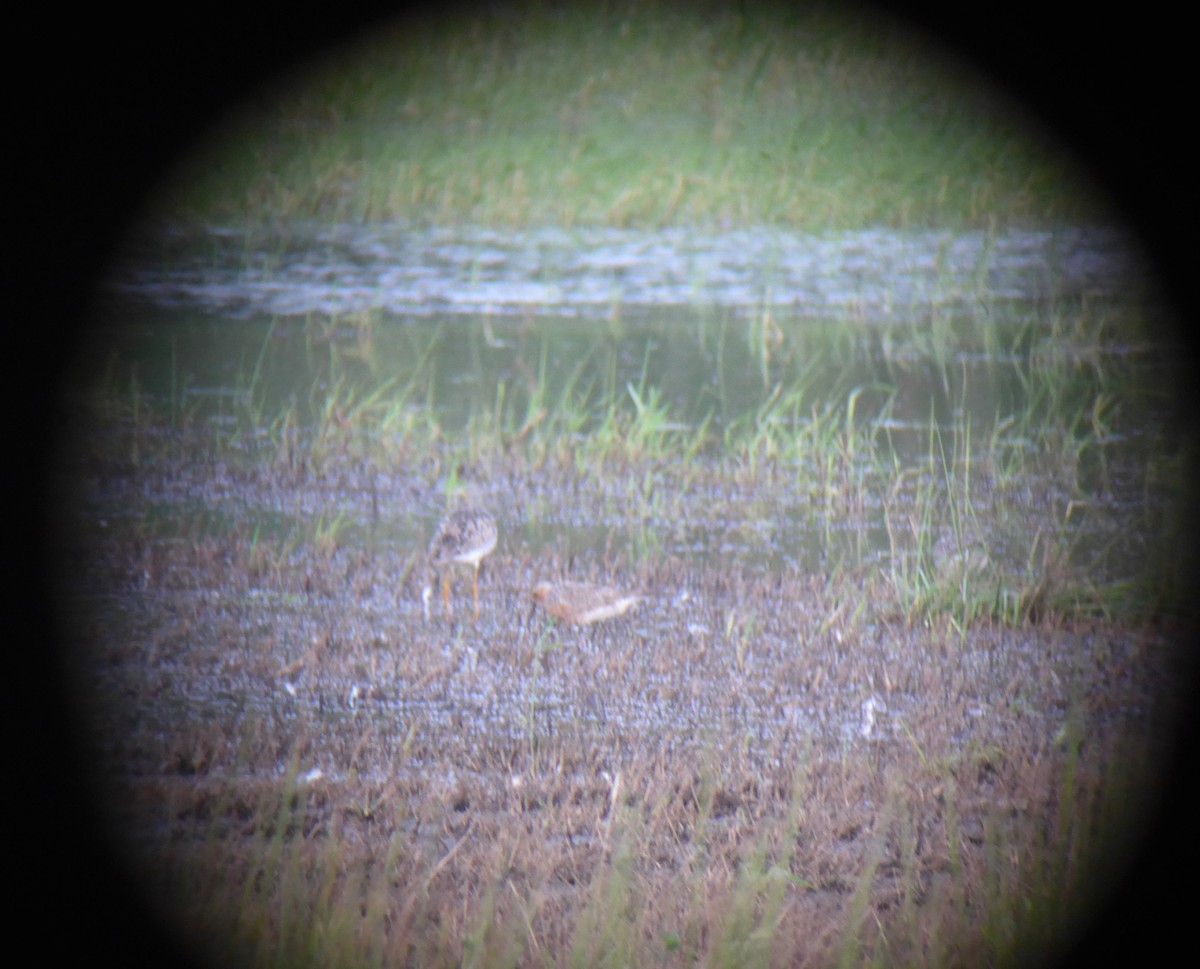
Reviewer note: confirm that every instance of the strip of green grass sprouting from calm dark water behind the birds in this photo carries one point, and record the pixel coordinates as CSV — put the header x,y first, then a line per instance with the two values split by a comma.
x,y
985,514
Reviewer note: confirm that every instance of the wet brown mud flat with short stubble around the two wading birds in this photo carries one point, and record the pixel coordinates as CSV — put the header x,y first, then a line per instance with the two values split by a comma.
x,y
758,760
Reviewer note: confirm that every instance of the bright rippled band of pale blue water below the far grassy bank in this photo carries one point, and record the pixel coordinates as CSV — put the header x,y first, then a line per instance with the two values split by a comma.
x,y
881,275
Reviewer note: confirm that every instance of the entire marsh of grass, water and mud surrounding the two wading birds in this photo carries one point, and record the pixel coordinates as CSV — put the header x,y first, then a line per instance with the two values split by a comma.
x,y
901,492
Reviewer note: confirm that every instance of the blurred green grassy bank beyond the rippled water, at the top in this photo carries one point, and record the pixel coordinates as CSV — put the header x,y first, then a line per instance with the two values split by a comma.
x,y
635,115
